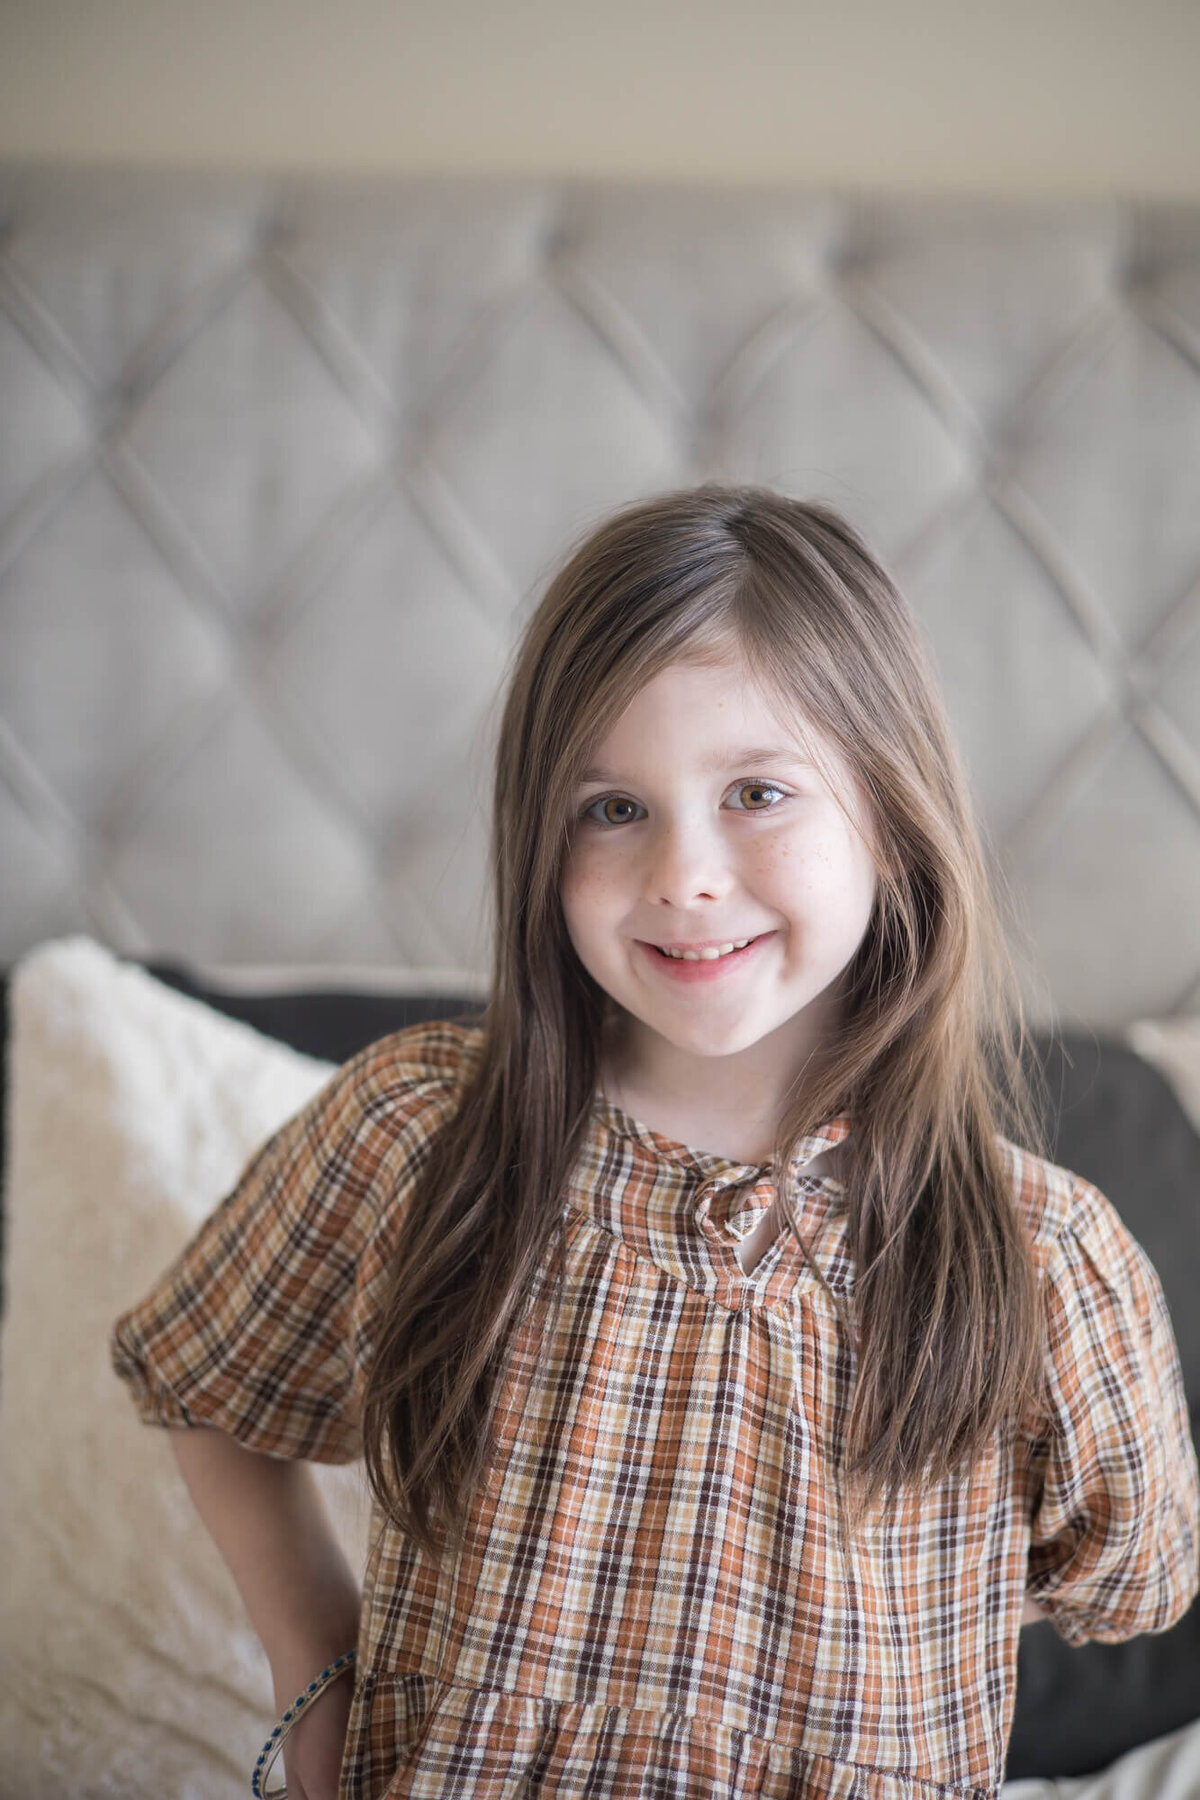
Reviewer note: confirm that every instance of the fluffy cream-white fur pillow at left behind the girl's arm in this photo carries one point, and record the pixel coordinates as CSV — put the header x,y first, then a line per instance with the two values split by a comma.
x,y
127,1660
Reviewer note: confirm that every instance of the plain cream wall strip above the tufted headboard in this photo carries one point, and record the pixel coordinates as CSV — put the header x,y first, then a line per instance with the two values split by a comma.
x,y
1012,94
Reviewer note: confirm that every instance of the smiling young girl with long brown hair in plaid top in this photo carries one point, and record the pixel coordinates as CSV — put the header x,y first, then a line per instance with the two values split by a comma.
x,y
730,1367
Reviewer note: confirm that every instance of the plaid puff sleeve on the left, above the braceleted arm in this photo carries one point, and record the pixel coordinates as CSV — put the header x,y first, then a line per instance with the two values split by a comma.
x,y
262,1324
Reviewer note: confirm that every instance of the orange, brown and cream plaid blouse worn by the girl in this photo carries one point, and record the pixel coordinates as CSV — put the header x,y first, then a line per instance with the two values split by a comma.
x,y
654,1597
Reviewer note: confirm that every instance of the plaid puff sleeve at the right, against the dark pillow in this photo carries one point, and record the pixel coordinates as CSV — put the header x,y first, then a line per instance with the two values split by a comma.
x,y
1116,1522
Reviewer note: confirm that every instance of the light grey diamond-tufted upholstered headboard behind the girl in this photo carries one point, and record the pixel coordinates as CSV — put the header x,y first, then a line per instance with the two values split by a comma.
x,y
287,462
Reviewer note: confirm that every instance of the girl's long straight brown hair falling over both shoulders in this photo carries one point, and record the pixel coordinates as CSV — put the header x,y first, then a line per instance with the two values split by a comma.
x,y
931,1063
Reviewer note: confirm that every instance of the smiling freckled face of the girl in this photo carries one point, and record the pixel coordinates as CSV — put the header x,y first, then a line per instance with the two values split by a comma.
x,y
703,823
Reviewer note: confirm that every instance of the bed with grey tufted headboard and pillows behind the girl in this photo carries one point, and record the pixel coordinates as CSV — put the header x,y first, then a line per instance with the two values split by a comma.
x,y
285,463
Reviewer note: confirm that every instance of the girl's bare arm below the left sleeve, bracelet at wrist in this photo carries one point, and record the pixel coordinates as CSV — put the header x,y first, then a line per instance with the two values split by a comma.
x,y
269,1522
